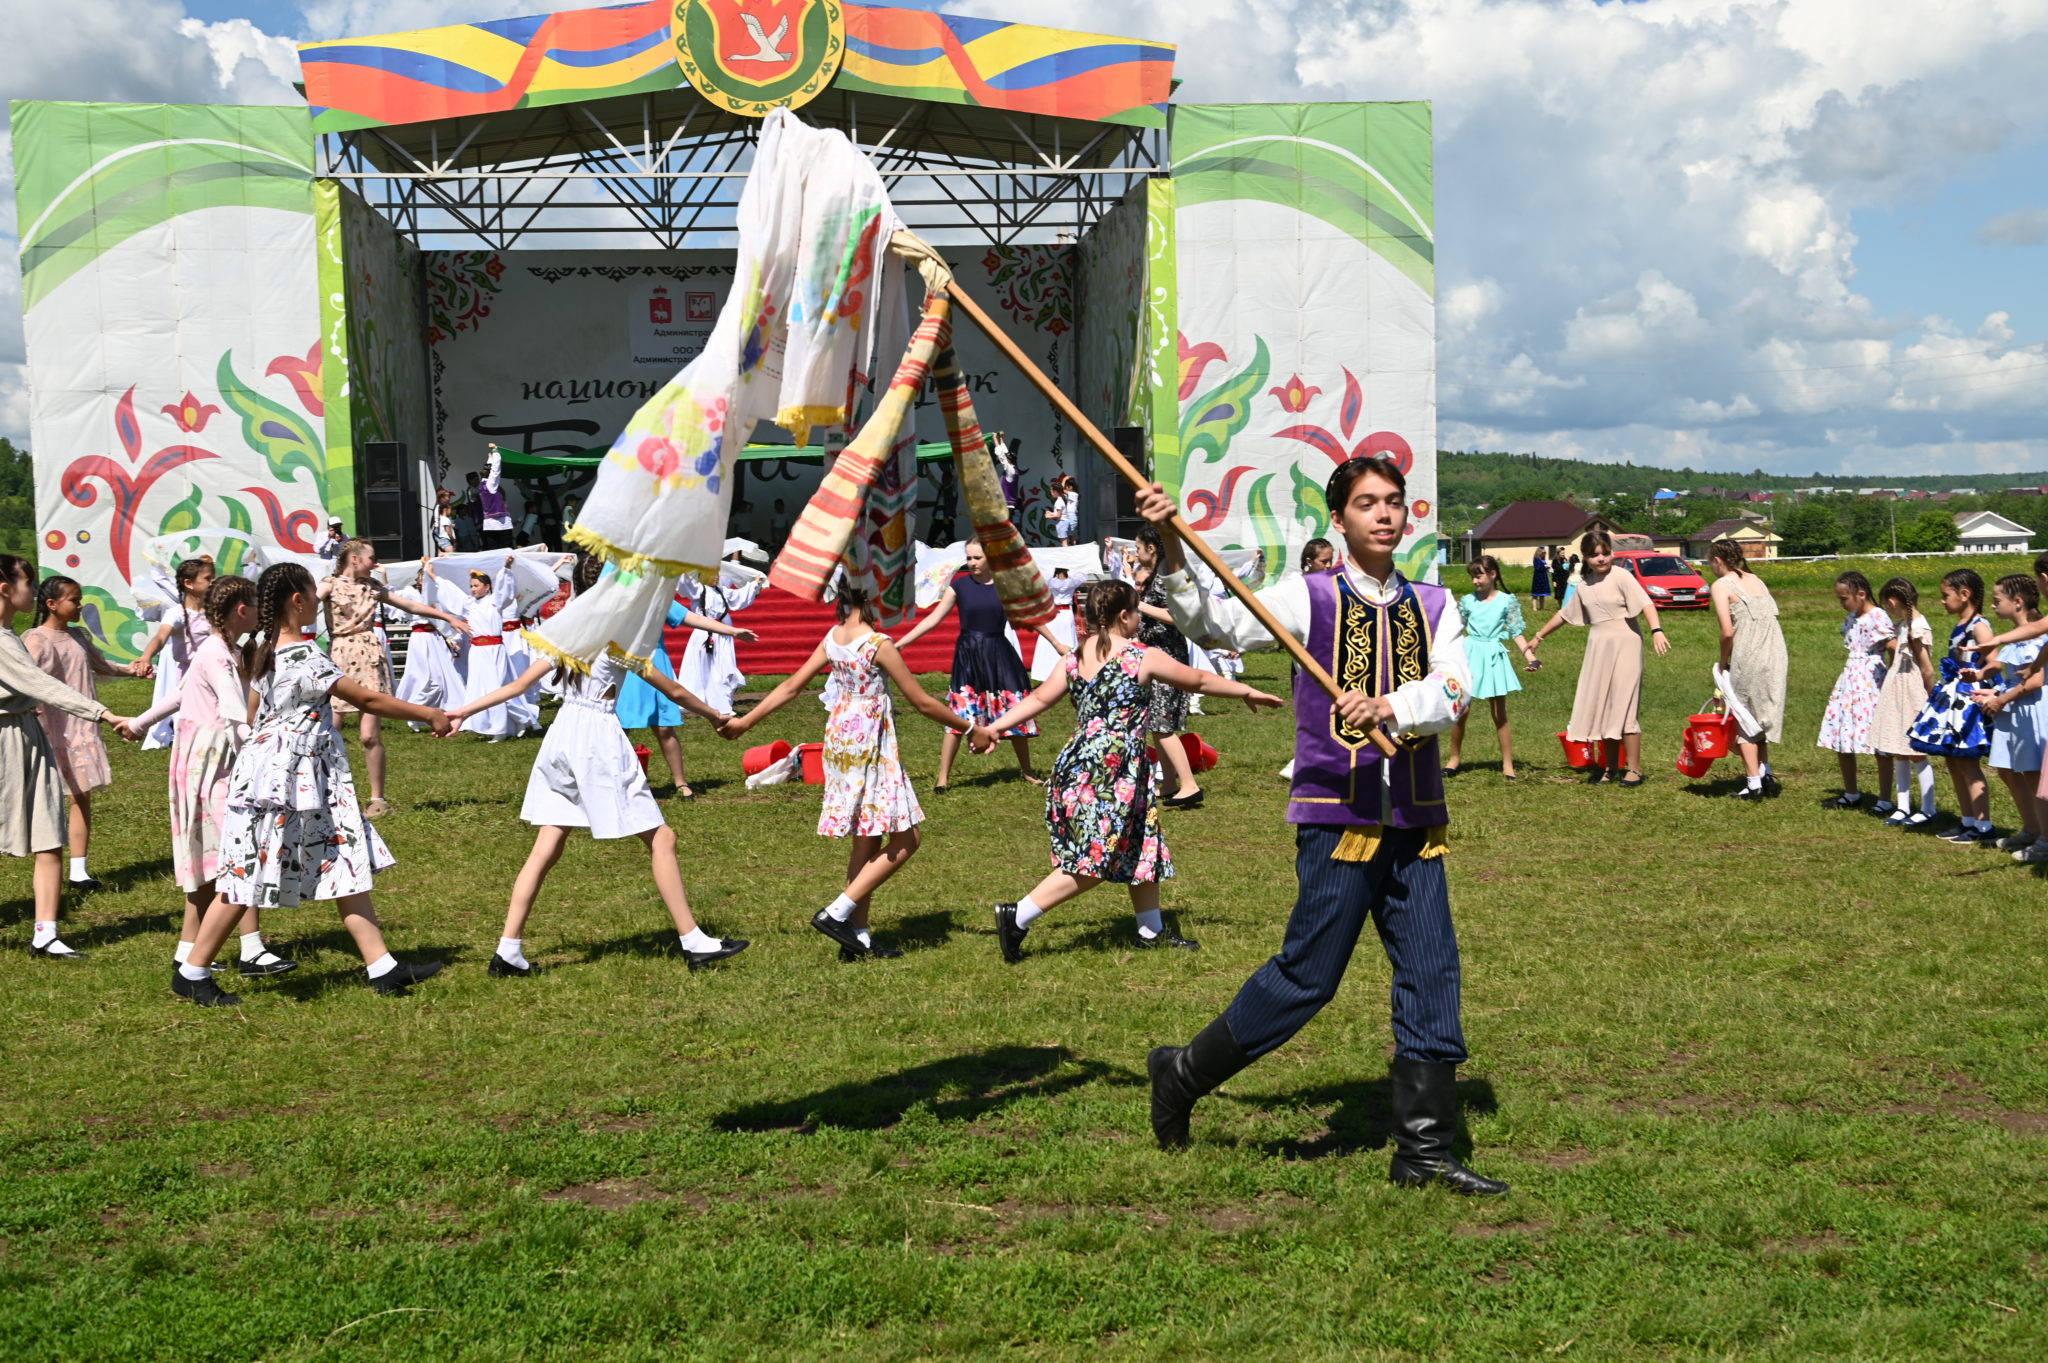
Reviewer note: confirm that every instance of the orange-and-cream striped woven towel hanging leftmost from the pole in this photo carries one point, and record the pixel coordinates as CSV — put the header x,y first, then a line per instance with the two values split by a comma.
x,y
869,484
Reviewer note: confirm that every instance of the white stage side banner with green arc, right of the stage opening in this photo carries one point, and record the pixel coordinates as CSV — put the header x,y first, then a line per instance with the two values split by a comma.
x,y
1306,318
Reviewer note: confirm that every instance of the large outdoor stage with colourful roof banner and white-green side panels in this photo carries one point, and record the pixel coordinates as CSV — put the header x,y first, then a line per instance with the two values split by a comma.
x,y
519,230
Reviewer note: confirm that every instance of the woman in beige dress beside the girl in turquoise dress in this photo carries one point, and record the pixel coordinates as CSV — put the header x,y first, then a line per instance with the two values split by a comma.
x,y
1611,678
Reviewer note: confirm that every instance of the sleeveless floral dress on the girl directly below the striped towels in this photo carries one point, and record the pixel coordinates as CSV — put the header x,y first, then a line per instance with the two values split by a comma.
x,y
867,793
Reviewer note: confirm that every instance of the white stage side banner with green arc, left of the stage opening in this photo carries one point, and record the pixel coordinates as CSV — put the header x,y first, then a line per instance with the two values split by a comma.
x,y
175,339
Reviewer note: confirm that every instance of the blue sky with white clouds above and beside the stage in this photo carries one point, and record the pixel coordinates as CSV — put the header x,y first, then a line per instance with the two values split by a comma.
x,y
1723,234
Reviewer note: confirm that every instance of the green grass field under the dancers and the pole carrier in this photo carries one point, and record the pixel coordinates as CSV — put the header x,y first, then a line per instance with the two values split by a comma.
x,y
1770,1082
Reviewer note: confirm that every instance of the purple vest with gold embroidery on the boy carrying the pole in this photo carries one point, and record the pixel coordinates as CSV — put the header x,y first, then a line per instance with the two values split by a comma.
x,y
1340,777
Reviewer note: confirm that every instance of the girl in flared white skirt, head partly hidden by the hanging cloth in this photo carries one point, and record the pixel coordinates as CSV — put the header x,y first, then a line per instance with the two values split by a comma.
x,y
587,777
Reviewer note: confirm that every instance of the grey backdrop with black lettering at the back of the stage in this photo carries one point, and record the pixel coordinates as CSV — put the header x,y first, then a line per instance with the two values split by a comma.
x,y
552,353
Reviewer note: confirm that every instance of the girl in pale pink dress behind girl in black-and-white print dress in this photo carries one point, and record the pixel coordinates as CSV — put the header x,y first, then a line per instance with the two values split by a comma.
x,y
210,713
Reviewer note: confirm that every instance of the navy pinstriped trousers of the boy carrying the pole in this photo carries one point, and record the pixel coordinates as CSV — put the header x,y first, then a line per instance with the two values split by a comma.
x,y
1410,906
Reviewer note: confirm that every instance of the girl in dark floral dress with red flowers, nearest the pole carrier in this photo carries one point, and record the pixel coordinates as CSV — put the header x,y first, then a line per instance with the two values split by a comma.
x,y
1103,803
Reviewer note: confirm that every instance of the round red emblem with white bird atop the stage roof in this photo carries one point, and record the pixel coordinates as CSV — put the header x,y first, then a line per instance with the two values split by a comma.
x,y
753,56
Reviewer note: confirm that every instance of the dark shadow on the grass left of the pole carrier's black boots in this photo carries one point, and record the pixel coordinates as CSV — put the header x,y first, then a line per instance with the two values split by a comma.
x,y
955,1090
